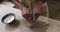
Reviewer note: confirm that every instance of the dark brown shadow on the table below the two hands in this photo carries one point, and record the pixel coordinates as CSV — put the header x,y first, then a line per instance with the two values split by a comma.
x,y
40,27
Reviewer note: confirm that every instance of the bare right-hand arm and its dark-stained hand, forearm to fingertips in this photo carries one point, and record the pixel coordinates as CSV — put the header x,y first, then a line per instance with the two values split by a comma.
x,y
36,10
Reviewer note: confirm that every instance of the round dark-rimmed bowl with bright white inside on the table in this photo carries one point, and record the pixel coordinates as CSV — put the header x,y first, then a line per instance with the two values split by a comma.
x,y
8,18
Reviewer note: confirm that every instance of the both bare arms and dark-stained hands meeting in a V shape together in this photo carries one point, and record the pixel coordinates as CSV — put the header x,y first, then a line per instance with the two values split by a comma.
x,y
25,10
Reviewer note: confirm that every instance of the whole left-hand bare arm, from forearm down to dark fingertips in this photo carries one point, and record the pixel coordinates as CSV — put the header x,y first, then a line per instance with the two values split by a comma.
x,y
24,9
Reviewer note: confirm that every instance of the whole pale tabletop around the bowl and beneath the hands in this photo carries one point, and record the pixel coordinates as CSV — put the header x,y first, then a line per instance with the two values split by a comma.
x,y
43,24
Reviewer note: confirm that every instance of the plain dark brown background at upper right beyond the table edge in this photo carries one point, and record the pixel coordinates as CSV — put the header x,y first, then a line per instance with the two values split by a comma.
x,y
54,9
